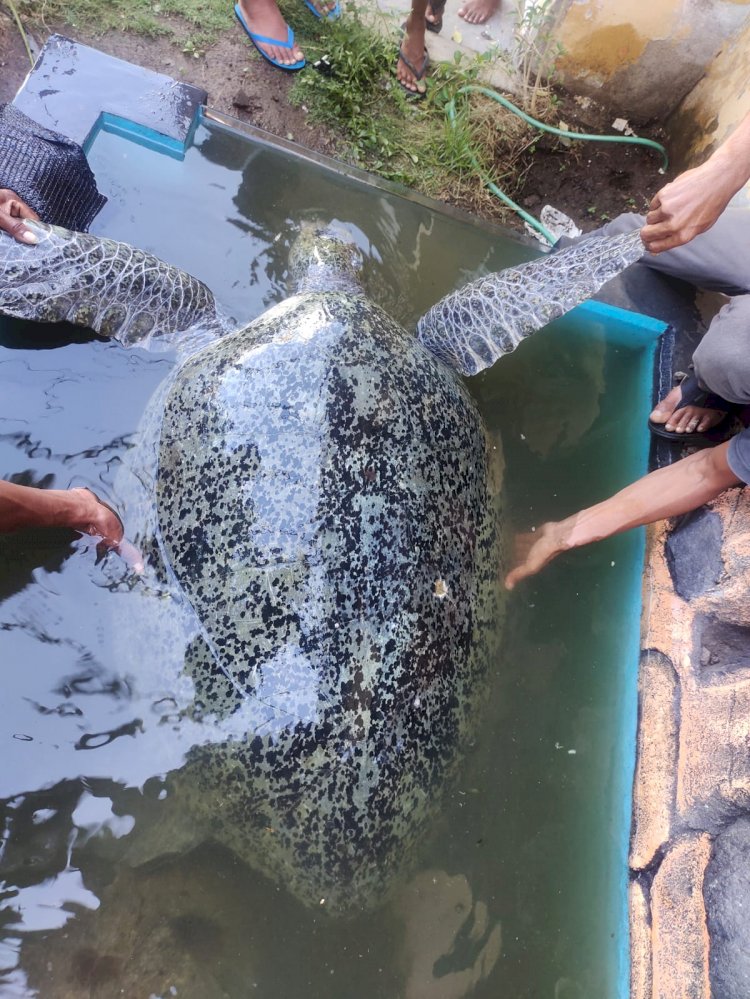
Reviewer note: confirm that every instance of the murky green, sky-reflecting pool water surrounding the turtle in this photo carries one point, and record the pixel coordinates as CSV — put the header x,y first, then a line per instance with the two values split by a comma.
x,y
519,891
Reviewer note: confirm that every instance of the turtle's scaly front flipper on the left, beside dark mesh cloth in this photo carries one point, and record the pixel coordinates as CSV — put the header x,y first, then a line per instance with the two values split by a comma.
x,y
109,287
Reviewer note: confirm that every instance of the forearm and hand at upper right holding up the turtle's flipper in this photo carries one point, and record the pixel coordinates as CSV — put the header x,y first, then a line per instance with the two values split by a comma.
x,y
695,199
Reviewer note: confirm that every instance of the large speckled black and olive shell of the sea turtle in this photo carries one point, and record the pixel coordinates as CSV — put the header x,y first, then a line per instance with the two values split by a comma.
x,y
328,502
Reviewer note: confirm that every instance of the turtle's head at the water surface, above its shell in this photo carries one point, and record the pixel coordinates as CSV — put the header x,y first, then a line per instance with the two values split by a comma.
x,y
324,256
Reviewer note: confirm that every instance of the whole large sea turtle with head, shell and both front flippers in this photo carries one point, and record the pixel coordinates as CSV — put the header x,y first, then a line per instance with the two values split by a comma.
x,y
324,499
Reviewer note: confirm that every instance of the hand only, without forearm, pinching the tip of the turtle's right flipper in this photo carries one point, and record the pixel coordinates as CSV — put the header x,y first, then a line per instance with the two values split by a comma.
x,y
689,205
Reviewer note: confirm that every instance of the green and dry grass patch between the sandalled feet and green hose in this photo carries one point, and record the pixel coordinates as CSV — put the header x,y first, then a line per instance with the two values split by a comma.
x,y
396,136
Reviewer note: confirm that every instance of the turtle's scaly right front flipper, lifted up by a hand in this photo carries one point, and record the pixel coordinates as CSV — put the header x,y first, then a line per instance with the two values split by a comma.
x,y
474,326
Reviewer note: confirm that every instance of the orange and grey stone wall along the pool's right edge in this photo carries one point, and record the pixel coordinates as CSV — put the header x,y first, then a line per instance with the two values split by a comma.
x,y
690,846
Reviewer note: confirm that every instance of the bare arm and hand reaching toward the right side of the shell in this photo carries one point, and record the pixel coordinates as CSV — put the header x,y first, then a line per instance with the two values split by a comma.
x,y
667,492
